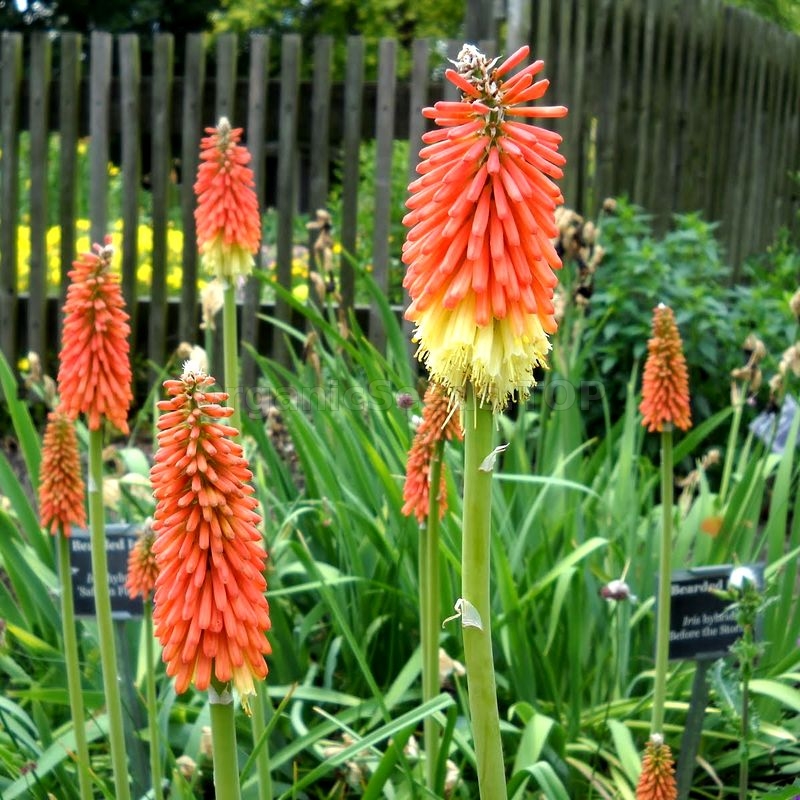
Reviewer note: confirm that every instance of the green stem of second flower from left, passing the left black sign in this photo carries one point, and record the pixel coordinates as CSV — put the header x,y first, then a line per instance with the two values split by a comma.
x,y
105,628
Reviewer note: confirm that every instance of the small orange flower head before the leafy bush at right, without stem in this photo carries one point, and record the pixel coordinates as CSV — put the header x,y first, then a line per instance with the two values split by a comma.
x,y
665,384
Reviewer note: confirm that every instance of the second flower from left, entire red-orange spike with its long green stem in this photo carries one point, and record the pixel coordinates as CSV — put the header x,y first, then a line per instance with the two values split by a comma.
x,y
94,379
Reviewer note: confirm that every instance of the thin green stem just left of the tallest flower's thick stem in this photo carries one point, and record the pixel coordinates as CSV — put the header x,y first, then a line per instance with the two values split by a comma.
x,y
429,613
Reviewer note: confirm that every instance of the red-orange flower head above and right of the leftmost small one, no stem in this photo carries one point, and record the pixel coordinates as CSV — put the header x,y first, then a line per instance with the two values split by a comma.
x,y
94,376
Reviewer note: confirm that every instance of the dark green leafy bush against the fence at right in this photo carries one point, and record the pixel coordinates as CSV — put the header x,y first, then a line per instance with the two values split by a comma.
x,y
685,268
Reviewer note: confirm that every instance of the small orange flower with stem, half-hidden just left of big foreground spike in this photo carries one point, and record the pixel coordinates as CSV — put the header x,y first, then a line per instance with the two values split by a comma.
x,y
141,580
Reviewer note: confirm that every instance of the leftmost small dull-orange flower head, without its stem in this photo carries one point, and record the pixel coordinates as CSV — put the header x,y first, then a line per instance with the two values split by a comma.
x,y
61,492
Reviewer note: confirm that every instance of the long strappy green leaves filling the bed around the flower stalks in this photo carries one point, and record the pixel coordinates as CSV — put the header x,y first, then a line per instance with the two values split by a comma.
x,y
572,510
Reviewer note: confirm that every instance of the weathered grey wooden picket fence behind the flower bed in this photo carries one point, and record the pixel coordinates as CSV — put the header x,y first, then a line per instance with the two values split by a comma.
x,y
679,104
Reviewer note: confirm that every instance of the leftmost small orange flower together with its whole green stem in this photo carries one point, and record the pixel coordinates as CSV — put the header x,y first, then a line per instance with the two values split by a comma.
x,y
61,502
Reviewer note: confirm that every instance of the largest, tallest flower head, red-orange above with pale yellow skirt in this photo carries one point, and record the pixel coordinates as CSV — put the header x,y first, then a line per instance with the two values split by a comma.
x,y
478,250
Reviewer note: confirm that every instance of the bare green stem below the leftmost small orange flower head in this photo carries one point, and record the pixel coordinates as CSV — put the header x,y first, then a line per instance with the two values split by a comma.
x,y
73,669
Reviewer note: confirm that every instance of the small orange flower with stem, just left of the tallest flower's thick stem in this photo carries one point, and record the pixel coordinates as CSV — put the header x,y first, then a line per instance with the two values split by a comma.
x,y
425,496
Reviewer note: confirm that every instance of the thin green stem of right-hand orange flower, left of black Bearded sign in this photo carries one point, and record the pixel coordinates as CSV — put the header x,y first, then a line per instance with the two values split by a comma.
x,y
664,577
